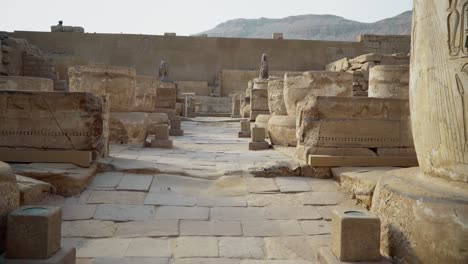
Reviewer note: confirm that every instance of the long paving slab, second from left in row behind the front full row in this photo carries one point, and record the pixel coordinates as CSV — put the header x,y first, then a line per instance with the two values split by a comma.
x,y
150,228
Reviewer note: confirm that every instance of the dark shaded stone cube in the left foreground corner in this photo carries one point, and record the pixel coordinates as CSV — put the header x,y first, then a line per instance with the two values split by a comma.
x,y
33,232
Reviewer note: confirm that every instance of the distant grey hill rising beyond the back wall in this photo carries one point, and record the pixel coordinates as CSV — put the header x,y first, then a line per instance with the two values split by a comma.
x,y
313,27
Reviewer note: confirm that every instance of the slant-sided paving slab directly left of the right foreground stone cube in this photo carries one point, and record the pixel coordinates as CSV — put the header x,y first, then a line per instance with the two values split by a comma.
x,y
283,248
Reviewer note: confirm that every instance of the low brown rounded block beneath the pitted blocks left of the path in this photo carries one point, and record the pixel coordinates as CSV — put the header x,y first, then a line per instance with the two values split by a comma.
x,y
128,128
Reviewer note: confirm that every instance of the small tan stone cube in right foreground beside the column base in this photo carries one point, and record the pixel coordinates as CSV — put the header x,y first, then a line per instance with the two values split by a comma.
x,y
355,236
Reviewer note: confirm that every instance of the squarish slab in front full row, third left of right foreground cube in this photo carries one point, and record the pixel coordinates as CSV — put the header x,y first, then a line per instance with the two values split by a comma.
x,y
185,247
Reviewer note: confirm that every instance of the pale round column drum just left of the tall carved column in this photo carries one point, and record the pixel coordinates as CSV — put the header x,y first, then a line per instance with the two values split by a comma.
x,y
389,81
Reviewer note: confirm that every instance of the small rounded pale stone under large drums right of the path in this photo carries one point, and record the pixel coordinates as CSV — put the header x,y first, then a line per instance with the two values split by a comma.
x,y
282,130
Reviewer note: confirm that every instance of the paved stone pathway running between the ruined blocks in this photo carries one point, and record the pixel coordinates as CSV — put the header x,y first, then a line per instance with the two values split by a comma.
x,y
197,203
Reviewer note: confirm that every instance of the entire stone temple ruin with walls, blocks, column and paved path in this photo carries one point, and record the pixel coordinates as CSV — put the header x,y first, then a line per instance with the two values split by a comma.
x,y
119,148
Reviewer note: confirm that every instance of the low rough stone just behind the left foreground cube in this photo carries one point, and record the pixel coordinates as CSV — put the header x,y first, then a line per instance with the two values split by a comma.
x,y
32,190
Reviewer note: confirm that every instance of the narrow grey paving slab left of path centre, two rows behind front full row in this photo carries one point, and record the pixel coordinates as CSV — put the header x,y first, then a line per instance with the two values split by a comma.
x,y
178,212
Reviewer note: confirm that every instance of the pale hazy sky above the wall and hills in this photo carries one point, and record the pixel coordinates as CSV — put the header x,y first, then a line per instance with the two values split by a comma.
x,y
184,17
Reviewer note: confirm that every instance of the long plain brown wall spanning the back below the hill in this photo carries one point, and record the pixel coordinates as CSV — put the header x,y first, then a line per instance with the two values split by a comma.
x,y
198,58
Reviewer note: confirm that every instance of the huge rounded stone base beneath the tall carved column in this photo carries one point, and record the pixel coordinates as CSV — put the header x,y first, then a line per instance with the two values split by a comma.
x,y
422,217
